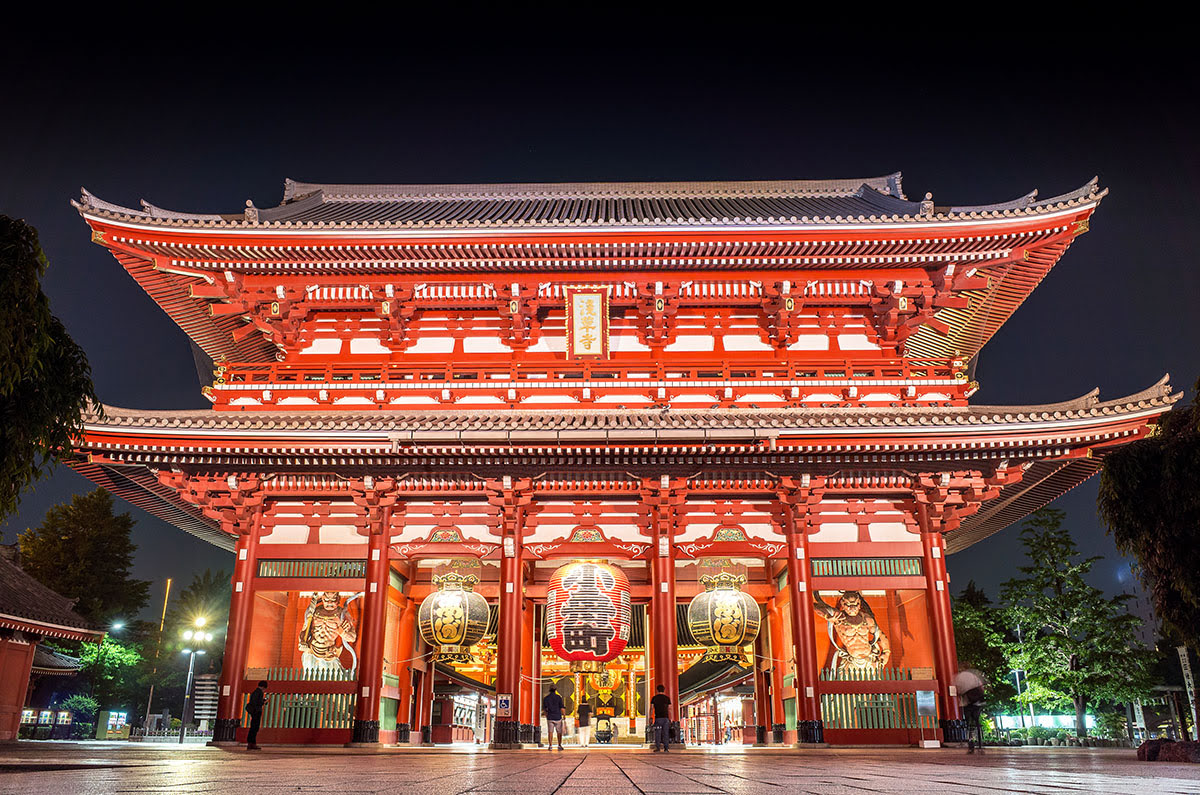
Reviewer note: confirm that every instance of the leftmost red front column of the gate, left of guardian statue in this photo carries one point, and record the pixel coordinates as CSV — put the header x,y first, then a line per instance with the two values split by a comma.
x,y
242,611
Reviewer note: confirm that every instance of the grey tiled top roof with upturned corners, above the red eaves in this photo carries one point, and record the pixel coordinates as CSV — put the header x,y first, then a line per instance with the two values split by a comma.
x,y
770,204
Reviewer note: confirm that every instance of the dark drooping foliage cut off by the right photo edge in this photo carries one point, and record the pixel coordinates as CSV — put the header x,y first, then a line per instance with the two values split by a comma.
x,y
1150,501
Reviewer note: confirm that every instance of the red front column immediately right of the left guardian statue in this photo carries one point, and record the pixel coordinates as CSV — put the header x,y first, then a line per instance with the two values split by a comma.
x,y
375,623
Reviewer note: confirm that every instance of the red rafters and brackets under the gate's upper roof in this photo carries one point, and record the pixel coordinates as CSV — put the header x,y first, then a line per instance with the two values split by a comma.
x,y
949,312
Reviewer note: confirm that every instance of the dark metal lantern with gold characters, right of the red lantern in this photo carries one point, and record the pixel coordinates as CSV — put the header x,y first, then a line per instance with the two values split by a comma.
x,y
724,619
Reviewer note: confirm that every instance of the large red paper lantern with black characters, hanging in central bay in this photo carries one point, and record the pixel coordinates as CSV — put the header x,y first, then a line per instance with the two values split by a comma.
x,y
589,614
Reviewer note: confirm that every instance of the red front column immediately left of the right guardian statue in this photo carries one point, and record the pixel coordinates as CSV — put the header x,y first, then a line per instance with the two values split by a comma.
x,y
808,700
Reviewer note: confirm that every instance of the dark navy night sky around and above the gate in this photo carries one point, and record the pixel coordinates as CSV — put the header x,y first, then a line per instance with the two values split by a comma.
x,y
203,123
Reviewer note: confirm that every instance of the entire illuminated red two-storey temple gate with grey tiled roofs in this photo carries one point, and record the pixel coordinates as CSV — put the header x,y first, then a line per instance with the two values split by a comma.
x,y
745,380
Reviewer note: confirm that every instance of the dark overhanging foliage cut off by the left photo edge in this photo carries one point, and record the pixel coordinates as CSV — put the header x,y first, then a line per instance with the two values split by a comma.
x,y
45,378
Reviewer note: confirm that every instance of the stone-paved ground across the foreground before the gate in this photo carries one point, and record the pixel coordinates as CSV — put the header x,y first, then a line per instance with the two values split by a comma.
x,y
88,768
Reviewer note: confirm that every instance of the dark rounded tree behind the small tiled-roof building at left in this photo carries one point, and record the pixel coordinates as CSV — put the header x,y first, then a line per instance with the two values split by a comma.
x,y
85,552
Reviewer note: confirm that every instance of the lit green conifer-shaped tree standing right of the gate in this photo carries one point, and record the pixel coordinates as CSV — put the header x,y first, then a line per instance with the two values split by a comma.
x,y
1076,641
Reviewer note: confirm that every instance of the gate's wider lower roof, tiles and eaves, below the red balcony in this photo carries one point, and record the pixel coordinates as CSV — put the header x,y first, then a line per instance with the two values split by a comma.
x,y
124,447
